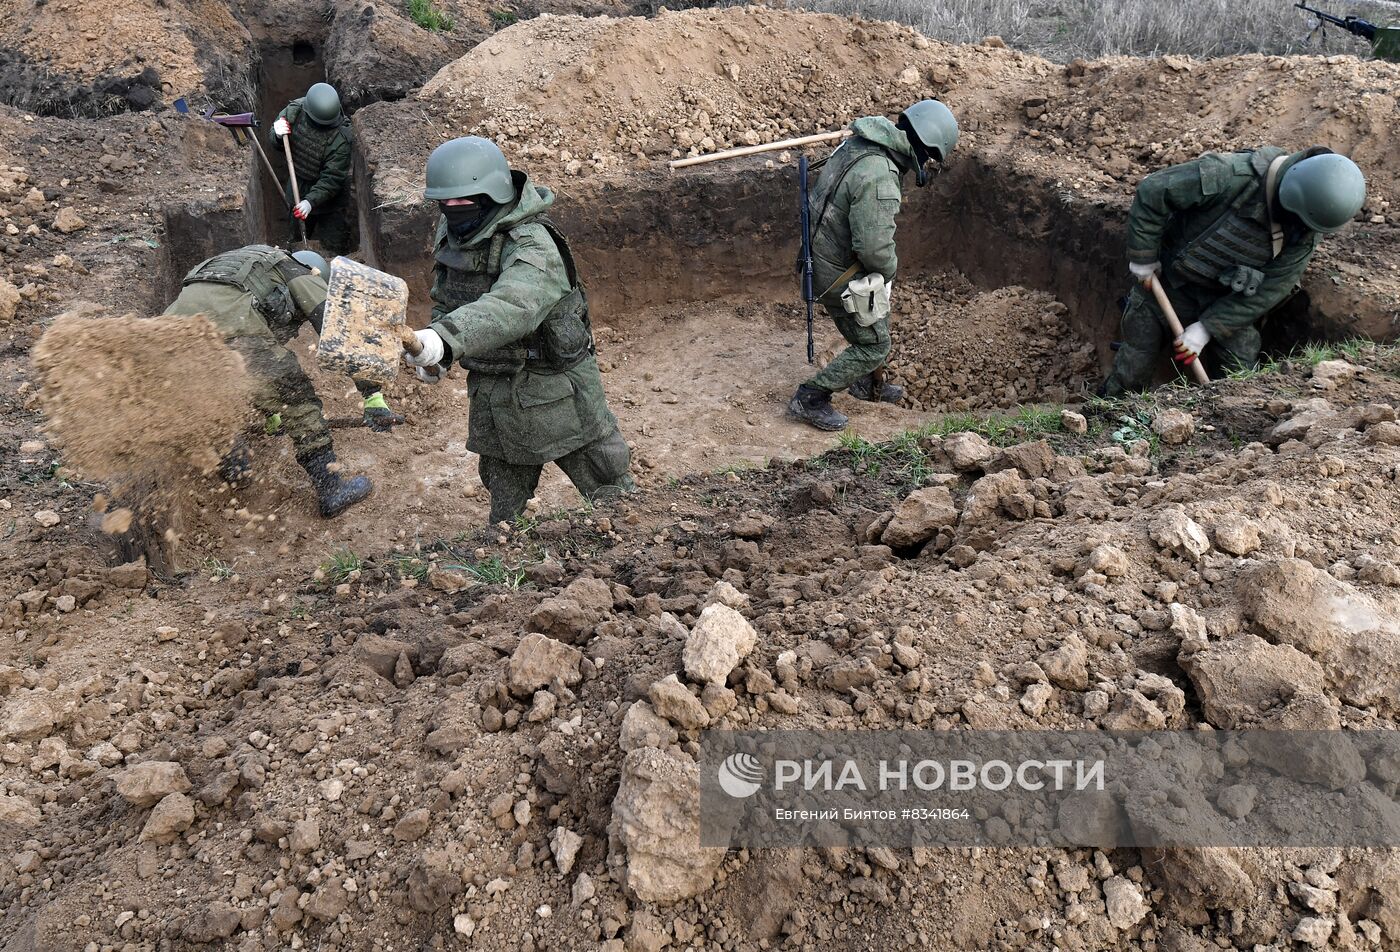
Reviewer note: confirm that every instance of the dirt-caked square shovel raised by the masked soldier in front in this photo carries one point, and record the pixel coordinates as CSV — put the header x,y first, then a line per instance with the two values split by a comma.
x,y
366,325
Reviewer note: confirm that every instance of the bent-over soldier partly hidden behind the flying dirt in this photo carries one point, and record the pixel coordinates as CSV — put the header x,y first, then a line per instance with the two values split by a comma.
x,y
258,297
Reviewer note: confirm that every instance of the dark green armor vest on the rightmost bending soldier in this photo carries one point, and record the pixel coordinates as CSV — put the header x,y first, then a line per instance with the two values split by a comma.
x,y
1237,247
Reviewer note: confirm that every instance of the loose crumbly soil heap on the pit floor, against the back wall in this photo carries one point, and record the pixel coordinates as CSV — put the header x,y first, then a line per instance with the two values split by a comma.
x,y
957,348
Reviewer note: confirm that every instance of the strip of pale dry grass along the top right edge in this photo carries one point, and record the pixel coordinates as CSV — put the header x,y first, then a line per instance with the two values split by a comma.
x,y
1091,29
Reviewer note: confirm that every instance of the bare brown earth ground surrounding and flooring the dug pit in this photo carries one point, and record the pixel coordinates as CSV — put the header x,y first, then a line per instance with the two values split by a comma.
x,y
289,750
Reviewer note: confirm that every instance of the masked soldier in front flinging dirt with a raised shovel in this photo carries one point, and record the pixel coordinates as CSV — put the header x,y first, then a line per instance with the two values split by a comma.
x,y
510,309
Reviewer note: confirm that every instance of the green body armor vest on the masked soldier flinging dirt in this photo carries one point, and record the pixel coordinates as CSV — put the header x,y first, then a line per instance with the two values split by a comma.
x,y
563,338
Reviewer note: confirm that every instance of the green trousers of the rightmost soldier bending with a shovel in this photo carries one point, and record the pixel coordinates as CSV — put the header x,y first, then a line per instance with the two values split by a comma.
x,y
1147,341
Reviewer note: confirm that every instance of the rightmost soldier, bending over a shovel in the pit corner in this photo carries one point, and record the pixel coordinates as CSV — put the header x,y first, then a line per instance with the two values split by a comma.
x,y
1230,237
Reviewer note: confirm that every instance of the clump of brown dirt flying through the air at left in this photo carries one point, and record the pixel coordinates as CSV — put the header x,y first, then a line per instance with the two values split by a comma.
x,y
139,402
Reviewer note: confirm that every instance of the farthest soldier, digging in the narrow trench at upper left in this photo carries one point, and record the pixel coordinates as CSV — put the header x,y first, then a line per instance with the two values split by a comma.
x,y
320,136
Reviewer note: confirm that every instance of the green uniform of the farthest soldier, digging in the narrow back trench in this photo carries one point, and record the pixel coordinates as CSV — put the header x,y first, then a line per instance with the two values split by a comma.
x,y
321,156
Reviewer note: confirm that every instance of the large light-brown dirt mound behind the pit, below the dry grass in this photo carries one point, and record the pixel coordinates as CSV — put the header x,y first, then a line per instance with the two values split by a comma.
x,y
699,80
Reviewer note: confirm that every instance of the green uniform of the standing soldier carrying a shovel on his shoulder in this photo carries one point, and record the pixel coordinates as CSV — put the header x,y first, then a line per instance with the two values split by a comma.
x,y
853,233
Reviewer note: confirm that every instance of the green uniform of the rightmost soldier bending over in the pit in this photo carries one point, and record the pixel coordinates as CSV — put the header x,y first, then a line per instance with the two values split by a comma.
x,y
1207,223
